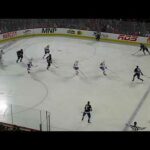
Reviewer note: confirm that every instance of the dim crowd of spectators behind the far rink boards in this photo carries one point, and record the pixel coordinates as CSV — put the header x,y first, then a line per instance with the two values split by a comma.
x,y
118,26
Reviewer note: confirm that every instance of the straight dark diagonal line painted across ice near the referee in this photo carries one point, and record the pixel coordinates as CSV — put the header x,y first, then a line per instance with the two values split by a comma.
x,y
135,112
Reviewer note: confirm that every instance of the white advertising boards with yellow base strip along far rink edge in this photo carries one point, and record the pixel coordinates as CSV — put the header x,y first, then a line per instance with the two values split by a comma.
x,y
82,34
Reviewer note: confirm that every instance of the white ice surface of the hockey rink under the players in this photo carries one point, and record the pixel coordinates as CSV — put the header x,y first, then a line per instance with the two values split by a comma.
x,y
115,99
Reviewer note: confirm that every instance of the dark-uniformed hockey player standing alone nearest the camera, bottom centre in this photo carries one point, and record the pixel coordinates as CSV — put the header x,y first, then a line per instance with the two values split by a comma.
x,y
87,110
